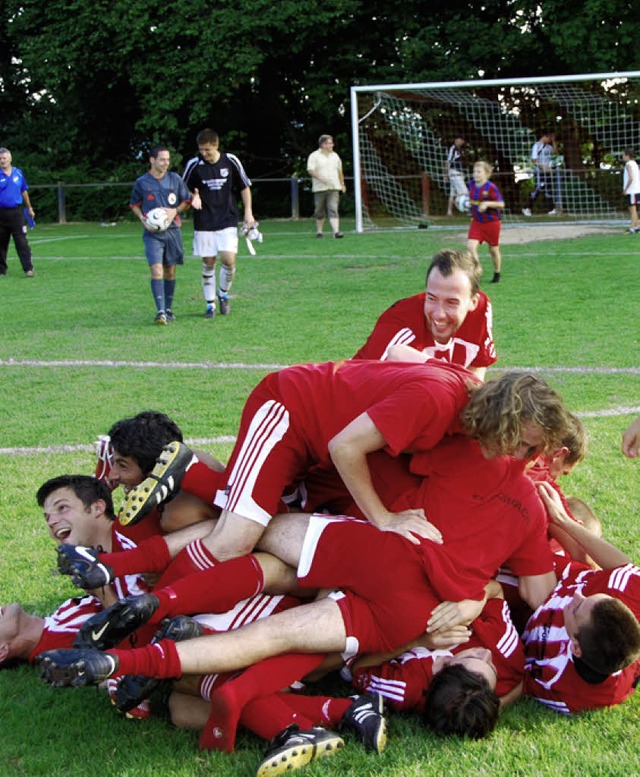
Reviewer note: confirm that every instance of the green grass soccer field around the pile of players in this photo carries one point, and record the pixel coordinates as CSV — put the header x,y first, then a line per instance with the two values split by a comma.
x,y
79,350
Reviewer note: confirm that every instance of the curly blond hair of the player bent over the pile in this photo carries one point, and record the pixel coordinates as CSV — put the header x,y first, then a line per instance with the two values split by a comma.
x,y
498,409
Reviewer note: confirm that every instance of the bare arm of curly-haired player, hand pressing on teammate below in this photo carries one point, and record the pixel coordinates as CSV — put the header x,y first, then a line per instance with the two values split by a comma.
x,y
348,451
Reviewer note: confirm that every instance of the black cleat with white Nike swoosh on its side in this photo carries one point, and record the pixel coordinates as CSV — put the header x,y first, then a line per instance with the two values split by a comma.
x,y
108,628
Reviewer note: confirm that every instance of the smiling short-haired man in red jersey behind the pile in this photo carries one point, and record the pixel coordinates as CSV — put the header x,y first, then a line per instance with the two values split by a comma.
x,y
452,320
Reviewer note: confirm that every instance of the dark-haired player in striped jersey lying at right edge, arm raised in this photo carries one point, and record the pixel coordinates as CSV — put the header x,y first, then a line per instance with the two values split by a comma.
x,y
582,644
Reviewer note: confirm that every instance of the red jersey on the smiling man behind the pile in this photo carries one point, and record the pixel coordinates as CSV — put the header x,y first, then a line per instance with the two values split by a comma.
x,y
404,323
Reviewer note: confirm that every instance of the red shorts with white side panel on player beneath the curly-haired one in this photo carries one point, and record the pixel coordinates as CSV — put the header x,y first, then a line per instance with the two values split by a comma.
x,y
384,597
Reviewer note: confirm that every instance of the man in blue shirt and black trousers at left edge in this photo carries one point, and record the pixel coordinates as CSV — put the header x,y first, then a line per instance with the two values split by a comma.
x,y
14,196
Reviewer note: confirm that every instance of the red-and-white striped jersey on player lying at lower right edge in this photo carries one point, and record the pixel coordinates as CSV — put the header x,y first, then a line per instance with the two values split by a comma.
x,y
551,675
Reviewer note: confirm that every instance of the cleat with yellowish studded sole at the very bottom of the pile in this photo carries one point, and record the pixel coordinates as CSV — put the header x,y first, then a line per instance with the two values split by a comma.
x,y
293,748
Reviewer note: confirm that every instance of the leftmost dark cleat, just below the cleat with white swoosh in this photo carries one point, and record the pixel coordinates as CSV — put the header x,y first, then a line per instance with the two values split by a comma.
x,y
60,668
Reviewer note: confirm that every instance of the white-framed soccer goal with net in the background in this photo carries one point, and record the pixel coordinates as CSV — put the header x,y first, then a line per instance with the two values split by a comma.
x,y
402,134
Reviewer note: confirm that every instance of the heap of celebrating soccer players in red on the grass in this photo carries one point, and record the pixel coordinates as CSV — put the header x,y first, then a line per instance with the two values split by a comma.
x,y
461,578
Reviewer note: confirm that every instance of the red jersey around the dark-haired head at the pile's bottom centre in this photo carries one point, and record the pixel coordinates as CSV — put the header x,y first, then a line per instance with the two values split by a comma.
x,y
403,680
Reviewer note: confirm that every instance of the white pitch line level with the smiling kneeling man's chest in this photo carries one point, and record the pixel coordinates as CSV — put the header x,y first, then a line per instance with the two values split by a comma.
x,y
206,365
